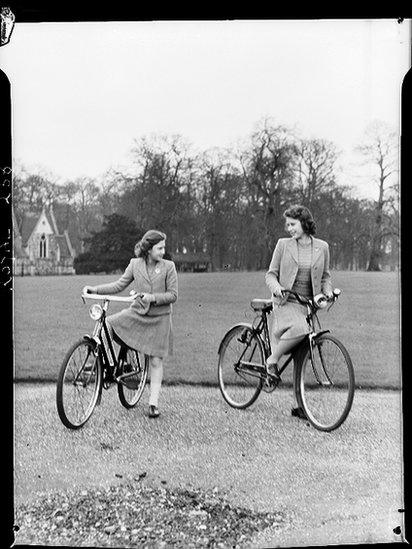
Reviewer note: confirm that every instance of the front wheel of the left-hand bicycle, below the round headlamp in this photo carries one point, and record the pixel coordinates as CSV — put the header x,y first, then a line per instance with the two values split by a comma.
x,y
78,385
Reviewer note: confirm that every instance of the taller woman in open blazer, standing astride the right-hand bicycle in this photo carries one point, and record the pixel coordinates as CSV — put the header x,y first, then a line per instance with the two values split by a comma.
x,y
299,263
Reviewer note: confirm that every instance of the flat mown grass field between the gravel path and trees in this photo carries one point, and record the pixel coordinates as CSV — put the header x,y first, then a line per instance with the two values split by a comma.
x,y
49,315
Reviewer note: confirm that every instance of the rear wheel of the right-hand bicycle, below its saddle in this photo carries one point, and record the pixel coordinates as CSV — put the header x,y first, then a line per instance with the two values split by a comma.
x,y
239,384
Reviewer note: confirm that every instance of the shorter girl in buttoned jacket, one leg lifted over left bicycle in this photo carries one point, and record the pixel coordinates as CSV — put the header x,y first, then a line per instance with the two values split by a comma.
x,y
146,325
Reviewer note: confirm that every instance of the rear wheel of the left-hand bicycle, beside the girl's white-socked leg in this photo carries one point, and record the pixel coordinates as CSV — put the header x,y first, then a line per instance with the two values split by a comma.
x,y
133,375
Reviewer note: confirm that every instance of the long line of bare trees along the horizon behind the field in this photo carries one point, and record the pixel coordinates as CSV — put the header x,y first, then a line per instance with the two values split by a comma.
x,y
228,203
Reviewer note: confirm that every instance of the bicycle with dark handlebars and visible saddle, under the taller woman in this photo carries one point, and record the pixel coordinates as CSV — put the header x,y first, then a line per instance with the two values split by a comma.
x,y
324,378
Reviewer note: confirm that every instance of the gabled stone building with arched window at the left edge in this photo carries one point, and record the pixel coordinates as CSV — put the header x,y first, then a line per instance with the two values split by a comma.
x,y
39,248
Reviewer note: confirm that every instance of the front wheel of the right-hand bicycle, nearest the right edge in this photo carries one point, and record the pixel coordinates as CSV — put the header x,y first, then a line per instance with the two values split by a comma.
x,y
326,383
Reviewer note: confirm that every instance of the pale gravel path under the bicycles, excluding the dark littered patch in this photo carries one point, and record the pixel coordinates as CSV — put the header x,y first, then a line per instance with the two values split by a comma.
x,y
341,487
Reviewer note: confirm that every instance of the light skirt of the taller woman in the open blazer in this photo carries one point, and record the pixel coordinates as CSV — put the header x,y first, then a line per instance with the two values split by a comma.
x,y
289,321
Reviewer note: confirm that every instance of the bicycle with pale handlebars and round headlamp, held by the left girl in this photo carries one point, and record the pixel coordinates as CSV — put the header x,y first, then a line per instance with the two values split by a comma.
x,y
91,365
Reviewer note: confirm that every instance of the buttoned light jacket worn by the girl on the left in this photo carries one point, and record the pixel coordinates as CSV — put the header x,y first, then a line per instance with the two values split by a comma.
x,y
162,284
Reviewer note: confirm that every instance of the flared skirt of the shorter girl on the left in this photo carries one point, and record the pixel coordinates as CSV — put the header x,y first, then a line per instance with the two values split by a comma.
x,y
151,335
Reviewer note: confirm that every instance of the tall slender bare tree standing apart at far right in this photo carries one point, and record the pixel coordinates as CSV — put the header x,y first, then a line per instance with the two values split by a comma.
x,y
380,150
